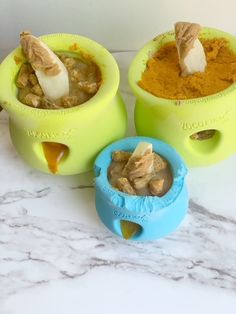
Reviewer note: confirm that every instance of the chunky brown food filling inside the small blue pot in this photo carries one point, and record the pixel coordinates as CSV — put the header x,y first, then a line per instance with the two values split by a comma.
x,y
144,174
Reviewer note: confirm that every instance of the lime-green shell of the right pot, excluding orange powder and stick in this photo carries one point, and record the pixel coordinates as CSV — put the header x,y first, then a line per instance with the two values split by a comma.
x,y
174,121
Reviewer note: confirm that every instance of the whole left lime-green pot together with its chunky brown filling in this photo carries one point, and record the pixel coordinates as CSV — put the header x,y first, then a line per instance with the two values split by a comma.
x,y
62,136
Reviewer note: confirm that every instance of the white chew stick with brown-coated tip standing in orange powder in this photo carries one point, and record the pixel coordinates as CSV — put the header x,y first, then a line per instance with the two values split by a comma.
x,y
191,54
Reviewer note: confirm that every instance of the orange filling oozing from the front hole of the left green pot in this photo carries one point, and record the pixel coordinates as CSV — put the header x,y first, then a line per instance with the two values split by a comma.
x,y
54,152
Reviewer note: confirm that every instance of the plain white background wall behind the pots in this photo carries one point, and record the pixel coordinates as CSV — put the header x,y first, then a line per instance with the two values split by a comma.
x,y
117,24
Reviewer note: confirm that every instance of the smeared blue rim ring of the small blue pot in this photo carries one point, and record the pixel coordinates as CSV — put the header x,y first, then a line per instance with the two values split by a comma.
x,y
137,203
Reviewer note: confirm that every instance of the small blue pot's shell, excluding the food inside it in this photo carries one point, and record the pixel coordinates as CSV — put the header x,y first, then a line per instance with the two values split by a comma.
x,y
158,216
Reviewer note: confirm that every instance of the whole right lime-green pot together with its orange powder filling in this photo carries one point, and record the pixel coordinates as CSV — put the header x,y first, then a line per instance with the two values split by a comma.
x,y
195,113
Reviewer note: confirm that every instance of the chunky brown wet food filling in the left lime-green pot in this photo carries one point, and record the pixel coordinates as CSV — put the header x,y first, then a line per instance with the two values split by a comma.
x,y
84,81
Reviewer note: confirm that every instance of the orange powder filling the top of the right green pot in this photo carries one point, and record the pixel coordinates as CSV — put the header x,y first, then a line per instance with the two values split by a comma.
x,y
162,76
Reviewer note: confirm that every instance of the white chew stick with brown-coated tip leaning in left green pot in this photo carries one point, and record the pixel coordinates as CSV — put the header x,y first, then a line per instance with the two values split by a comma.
x,y
50,71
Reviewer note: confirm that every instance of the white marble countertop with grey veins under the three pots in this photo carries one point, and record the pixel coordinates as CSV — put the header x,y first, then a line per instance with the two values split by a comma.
x,y
57,257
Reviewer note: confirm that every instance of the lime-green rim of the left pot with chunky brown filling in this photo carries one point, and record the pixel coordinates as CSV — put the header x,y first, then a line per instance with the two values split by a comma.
x,y
88,47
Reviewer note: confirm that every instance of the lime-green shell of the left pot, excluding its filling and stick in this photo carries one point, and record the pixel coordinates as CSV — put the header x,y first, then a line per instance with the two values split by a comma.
x,y
85,129
